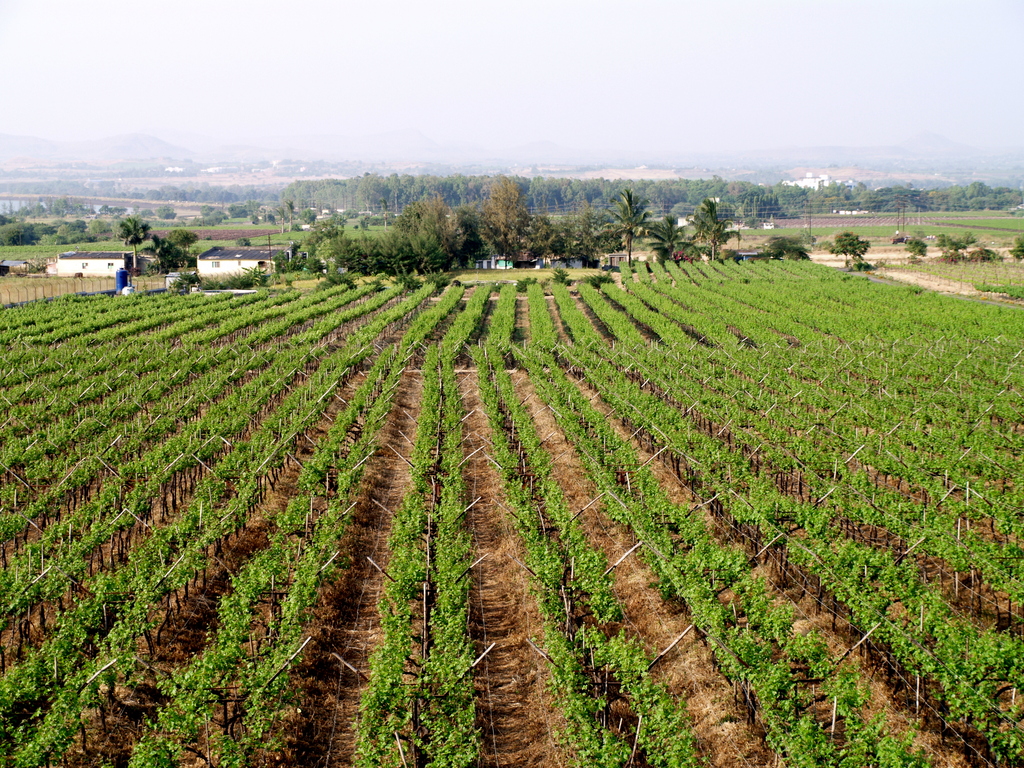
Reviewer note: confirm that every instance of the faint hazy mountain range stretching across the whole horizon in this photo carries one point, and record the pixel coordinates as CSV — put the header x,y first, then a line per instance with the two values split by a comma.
x,y
923,152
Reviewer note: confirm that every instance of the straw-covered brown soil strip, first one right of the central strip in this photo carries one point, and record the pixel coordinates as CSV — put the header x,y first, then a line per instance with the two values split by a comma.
x,y
719,723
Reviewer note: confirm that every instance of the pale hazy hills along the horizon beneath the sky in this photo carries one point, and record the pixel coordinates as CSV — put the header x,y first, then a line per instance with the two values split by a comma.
x,y
405,151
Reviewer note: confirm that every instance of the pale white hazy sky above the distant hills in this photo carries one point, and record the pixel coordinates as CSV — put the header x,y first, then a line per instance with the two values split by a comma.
x,y
658,75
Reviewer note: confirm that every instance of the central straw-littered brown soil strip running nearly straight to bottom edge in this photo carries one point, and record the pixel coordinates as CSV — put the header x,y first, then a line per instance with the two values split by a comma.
x,y
515,711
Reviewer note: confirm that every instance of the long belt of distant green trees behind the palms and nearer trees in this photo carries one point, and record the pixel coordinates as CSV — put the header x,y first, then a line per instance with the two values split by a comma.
x,y
740,200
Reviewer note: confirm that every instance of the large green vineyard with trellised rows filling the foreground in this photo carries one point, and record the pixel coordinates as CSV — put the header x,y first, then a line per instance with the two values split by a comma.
x,y
757,515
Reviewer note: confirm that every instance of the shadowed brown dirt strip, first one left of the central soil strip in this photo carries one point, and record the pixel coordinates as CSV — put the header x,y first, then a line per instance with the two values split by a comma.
x,y
346,622
